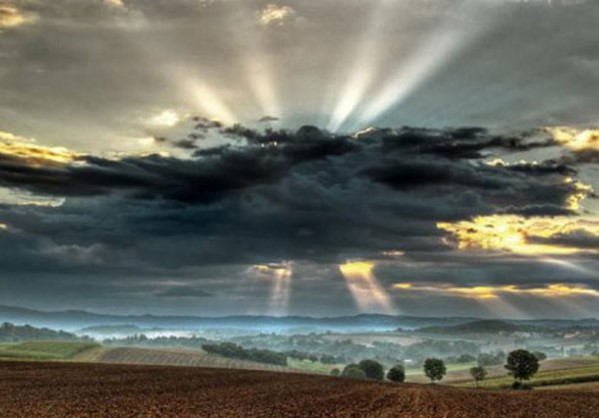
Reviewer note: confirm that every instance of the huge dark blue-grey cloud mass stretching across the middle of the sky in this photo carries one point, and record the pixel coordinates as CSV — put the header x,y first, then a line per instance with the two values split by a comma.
x,y
304,195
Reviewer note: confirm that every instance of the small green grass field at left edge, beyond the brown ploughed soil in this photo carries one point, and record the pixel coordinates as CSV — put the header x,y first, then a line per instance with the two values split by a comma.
x,y
44,350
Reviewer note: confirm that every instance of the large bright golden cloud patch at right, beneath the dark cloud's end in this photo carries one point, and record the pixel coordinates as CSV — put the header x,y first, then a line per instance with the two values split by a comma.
x,y
517,234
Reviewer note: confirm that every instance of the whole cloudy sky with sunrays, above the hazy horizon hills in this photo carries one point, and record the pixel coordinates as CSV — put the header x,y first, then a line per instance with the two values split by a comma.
x,y
322,158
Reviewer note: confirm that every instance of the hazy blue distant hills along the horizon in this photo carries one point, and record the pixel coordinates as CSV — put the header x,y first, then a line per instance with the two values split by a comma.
x,y
74,320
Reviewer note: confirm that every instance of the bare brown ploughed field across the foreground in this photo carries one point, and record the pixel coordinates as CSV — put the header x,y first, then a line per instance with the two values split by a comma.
x,y
58,390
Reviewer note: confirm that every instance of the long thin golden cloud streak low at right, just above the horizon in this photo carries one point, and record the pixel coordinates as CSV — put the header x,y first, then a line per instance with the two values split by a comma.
x,y
555,290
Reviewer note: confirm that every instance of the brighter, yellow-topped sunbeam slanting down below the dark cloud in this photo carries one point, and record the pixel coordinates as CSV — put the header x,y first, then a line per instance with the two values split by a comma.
x,y
365,288
